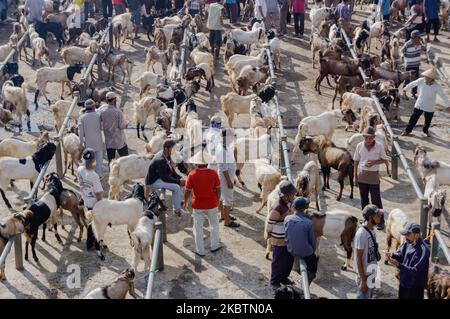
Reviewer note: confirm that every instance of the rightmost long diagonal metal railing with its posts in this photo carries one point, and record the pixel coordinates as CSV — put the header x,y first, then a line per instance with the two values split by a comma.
x,y
396,151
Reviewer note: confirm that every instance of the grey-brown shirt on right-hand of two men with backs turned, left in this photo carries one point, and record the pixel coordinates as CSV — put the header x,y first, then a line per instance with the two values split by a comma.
x,y
113,125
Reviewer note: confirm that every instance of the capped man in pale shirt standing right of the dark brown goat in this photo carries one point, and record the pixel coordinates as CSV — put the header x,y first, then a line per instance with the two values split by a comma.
x,y
369,154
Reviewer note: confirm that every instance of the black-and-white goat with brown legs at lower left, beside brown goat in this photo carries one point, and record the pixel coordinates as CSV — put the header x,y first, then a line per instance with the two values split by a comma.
x,y
39,213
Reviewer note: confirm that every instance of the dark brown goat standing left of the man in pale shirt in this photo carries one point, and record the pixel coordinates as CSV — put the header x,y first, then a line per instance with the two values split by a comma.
x,y
330,156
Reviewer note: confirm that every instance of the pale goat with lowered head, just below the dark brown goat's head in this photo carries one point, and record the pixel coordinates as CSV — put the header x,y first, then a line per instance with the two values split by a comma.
x,y
307,180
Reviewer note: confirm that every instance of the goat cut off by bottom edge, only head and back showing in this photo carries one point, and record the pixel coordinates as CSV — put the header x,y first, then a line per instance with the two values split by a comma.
x,y
118,289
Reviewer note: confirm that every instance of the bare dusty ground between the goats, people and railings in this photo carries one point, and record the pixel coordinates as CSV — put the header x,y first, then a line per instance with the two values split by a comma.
x,y
239,270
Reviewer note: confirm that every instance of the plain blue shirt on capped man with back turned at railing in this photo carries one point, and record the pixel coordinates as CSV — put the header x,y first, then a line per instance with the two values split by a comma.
x,y
299,235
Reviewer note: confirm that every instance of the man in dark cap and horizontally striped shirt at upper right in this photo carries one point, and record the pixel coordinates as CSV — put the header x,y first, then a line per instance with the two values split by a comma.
x,y
412,51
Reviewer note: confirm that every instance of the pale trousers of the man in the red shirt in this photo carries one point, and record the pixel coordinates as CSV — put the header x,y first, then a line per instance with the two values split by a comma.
x,y
213,218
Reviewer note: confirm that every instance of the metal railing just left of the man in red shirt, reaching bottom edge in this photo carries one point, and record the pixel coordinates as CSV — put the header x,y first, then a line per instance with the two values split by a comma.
x,y
157,263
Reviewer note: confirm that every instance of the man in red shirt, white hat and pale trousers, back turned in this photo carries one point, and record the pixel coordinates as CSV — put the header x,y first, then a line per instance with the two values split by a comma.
x,y
204,184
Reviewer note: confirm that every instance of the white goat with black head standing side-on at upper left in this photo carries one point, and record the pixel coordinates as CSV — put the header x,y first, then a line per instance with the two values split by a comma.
x,y
63,75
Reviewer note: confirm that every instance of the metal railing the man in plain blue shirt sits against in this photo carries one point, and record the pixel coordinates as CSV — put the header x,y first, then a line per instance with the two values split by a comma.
x,y
286,168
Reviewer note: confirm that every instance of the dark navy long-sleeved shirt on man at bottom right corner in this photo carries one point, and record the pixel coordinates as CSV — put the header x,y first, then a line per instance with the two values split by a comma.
x,y
413,263
